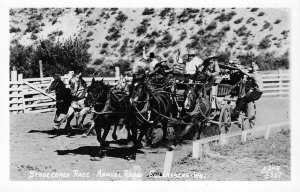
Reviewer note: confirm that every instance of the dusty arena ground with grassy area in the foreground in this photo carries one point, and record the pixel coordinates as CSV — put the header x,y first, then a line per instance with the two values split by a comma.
x,y
34,149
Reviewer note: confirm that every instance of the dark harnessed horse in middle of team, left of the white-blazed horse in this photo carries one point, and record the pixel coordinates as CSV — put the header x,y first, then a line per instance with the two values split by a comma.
x,y
150,107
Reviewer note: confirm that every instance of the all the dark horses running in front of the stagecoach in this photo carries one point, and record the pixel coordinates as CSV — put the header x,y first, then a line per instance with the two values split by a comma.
x,y
139,106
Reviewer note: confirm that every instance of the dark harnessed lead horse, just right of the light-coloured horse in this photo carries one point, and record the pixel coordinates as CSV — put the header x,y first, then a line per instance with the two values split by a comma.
x,y
109,108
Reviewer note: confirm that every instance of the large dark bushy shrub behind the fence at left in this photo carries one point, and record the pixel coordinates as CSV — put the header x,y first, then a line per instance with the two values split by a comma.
x,y
59,57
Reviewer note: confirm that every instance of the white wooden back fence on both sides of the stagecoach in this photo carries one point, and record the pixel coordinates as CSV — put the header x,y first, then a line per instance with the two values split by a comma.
x,y
29,96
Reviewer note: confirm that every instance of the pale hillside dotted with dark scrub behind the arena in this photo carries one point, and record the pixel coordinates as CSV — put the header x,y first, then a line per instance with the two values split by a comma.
x,y
121,33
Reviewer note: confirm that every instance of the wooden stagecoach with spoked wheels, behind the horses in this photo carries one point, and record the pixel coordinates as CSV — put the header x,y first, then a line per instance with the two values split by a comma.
x,y
222,101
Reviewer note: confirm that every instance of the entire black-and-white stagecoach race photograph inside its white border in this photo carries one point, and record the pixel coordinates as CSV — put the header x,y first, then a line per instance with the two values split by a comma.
x,y
145,93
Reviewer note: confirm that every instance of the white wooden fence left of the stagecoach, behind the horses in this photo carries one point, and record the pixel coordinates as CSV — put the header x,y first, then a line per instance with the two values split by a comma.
x,y
29,96
